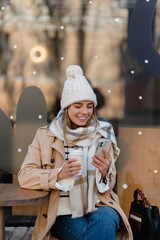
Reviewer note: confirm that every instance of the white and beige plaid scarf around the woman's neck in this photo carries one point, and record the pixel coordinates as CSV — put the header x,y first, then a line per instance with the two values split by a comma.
x,y
83,193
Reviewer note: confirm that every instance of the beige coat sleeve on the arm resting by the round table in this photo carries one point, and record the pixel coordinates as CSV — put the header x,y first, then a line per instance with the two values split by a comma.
x,y
31,174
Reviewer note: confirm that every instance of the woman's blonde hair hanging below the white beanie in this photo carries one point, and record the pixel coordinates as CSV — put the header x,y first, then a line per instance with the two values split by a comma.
x,y
67,122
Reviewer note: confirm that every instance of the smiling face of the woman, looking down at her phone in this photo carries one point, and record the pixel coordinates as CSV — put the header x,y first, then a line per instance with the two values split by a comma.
x,y
80,113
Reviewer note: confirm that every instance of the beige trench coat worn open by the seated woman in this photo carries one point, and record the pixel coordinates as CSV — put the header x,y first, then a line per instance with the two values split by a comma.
x,y
39,171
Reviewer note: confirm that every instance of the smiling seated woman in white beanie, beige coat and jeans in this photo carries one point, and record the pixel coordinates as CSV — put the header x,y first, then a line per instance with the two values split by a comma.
x,y
80,206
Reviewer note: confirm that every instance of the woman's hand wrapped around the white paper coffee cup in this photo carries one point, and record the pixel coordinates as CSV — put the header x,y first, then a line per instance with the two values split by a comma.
x,y
70,168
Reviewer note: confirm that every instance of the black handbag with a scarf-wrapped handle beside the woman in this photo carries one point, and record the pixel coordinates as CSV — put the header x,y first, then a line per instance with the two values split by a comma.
x,y
144,218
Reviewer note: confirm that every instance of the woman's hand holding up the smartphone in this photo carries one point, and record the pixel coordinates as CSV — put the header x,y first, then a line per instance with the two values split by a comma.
x,y
102,163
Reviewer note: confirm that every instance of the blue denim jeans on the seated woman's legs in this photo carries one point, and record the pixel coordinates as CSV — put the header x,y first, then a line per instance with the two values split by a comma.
x,y
101,224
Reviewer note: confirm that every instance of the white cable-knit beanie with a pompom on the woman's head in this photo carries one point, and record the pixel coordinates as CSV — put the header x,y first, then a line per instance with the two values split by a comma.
x,y
76,87
